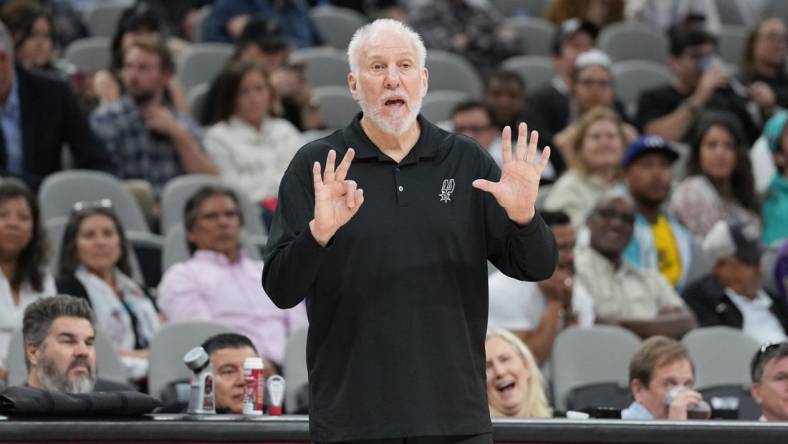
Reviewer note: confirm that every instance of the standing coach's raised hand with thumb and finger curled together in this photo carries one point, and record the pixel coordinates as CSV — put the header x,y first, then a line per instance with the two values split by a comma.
x,y
336,199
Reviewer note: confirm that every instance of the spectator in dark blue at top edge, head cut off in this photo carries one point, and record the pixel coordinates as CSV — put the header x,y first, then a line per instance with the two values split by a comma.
x,y
228,19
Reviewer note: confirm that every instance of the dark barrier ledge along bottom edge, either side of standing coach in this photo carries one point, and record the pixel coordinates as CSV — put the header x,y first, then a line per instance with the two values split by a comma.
x,y
295,429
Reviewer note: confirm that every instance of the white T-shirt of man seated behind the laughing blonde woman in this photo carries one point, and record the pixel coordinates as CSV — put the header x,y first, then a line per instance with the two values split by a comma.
x,y
519,305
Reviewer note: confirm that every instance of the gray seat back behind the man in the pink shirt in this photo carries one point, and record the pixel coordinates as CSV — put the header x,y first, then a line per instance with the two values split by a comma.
x,y
178,190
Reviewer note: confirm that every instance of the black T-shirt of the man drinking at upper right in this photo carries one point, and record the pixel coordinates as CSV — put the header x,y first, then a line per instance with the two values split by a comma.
x,y
663,100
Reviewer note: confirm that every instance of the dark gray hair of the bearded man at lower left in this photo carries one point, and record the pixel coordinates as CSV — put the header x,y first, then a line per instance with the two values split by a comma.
x,y
40,315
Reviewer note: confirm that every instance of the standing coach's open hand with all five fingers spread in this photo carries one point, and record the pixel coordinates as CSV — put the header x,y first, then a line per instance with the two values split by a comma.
x,y
520,173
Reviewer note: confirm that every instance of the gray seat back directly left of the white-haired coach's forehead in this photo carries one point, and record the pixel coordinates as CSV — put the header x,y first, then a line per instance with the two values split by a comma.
x,y
324,66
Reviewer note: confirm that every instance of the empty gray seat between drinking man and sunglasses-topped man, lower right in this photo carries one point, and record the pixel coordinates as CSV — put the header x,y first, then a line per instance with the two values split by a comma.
x,y
721,355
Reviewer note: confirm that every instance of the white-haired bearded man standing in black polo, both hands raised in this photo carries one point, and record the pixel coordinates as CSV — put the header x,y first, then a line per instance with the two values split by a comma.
x,y
390,247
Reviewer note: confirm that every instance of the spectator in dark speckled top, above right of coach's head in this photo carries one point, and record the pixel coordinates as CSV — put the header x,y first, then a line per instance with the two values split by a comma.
x,y
470,29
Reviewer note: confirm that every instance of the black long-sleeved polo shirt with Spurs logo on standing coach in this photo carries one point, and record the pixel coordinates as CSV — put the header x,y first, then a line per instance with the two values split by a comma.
x,y
397,301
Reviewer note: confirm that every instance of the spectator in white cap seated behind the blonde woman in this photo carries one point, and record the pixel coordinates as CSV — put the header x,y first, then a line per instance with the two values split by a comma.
x,y
591,86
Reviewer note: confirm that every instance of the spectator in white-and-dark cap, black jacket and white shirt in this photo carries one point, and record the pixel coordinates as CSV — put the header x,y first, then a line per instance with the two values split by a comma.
x,y
732,294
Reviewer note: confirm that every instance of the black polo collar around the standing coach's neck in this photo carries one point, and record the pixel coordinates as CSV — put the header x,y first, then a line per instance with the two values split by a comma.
x,y
427,145
